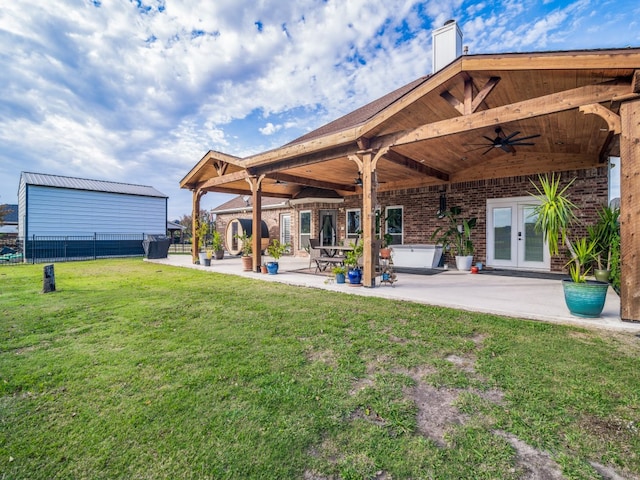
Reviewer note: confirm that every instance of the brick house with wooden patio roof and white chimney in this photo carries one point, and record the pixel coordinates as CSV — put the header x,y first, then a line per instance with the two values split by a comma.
x,y
473,134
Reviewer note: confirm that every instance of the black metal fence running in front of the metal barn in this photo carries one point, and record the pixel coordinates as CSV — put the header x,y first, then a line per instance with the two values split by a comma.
x,y
40,249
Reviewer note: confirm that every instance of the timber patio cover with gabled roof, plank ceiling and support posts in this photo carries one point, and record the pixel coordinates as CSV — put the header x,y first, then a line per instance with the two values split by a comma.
x,y
452,128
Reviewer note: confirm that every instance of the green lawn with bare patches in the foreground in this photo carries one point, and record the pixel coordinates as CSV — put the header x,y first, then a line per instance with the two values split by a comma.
x,y
133,370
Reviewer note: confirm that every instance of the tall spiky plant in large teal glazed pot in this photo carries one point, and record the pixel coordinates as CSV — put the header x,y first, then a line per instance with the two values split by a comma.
x,y
555,217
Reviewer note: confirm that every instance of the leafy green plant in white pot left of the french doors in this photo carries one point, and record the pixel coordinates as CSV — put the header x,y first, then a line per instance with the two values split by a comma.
x,y
456,237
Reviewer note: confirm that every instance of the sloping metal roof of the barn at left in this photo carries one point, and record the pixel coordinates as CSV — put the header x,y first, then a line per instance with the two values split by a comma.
x,y
74,183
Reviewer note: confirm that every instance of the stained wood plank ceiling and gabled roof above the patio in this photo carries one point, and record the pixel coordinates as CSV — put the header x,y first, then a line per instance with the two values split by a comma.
x,y
465,91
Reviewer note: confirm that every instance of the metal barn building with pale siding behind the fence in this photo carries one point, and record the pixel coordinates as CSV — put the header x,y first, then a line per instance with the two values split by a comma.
x,y
78,218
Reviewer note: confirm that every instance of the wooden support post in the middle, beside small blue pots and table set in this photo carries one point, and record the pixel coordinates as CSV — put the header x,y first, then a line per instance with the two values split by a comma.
x,y
368,219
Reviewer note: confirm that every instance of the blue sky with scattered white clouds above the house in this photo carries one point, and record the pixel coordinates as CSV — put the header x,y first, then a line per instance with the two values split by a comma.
x,y
138,91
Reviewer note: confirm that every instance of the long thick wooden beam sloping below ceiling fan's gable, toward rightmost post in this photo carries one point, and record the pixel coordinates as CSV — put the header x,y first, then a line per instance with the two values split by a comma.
x,y
556,102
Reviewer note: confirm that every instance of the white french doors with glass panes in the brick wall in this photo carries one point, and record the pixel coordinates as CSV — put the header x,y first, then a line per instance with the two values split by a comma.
x,y
512,241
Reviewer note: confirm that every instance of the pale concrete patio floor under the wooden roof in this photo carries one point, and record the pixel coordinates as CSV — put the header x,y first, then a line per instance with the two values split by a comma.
x,y
520,297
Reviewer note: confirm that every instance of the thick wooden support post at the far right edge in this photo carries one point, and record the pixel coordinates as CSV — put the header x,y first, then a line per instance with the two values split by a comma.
x,y
630,211
